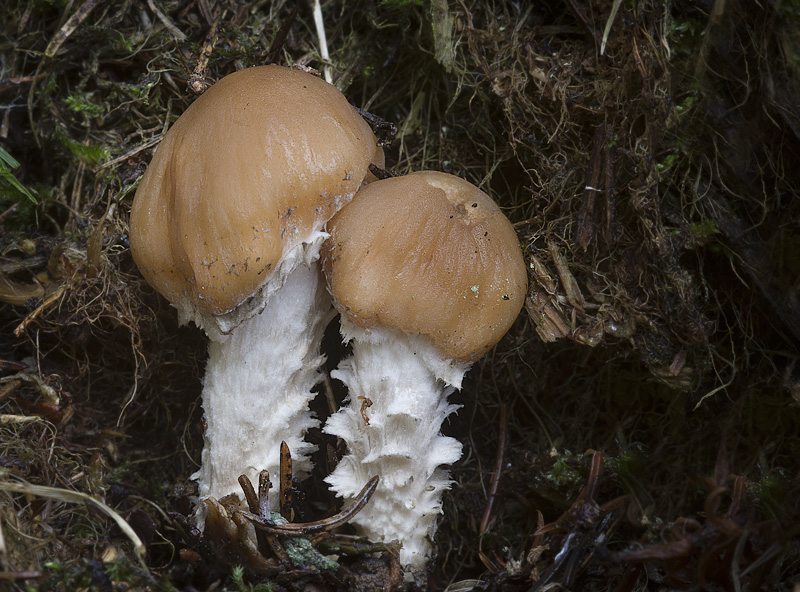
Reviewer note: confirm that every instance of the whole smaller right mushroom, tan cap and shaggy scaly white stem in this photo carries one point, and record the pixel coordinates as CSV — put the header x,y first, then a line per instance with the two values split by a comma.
x,y
428,276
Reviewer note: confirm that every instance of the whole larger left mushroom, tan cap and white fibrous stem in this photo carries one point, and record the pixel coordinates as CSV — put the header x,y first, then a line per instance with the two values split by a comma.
x,y
226,224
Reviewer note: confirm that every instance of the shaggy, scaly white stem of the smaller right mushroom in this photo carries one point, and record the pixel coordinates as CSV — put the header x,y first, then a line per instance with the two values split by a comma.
x,y
407,382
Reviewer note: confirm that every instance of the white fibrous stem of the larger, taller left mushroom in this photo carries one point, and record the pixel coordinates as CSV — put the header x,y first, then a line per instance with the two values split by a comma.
x,y
258,385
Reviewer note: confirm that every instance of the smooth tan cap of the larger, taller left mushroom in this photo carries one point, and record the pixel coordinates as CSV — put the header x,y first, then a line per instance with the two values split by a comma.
x,y
254,166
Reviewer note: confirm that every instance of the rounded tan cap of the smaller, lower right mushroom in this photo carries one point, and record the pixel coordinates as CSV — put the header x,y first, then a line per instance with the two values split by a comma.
x,y
427,253
